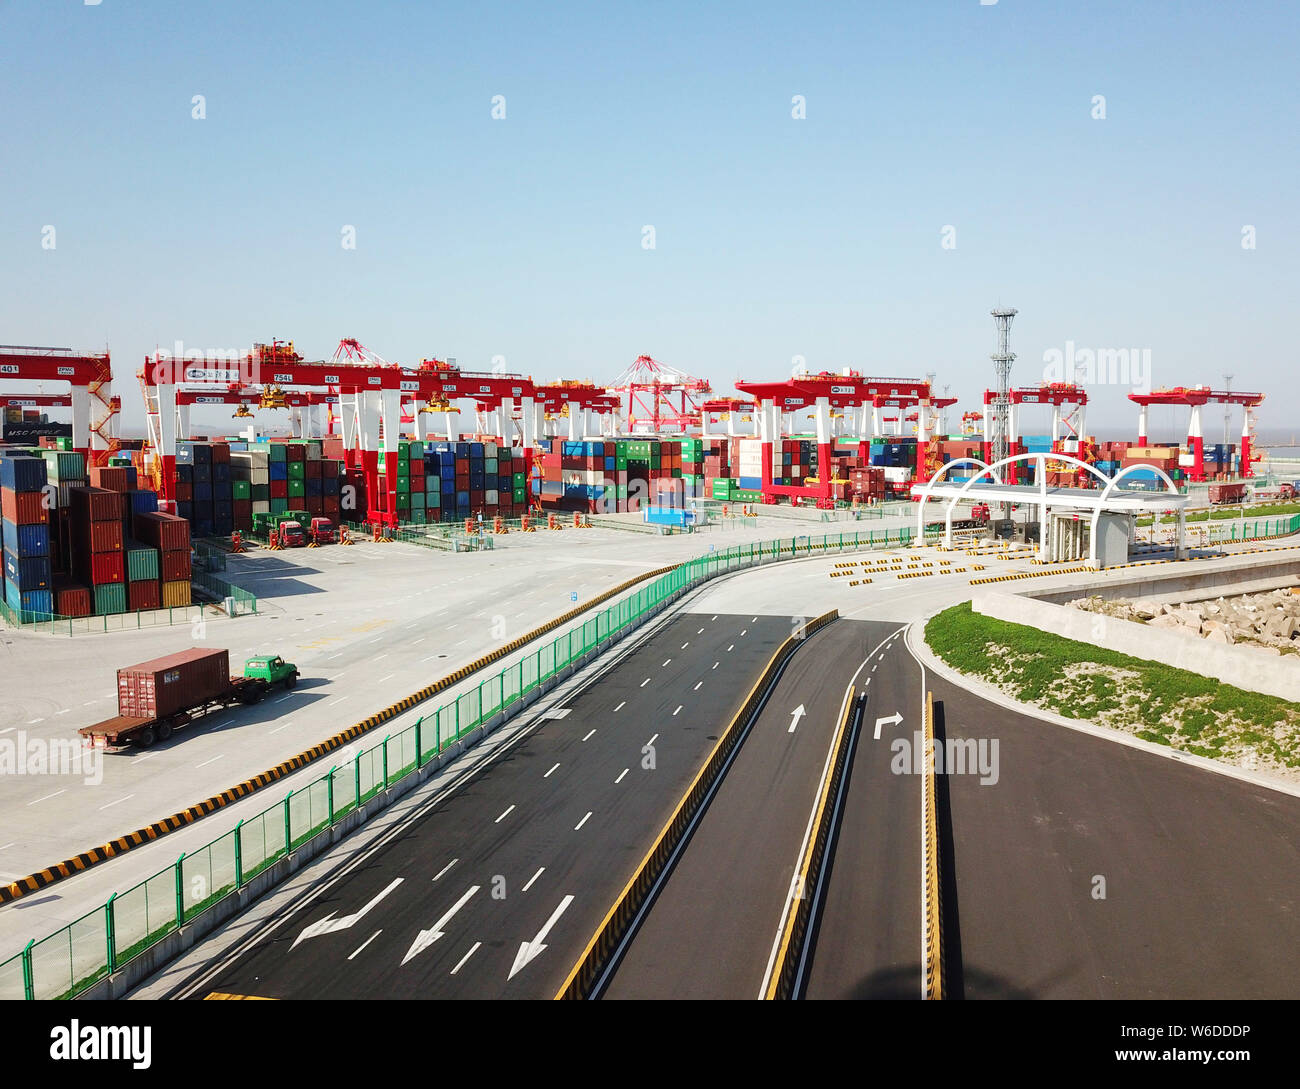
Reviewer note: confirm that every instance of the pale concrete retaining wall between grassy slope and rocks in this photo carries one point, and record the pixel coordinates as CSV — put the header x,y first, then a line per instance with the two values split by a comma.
x,y
1242,667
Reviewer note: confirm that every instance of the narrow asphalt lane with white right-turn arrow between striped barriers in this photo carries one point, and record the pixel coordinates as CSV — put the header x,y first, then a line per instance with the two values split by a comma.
x,y
866,942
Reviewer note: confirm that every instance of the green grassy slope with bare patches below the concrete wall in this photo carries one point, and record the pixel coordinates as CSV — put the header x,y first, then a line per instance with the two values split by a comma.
x,y
1154,702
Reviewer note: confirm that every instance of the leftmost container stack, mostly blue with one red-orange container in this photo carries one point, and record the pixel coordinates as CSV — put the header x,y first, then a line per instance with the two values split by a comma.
x,y
25,536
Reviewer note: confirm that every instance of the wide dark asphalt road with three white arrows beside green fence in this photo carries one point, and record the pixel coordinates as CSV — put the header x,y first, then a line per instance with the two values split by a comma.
x,y
495,891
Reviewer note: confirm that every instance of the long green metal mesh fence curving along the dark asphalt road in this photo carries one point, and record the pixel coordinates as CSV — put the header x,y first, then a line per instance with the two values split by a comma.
x,y
76,957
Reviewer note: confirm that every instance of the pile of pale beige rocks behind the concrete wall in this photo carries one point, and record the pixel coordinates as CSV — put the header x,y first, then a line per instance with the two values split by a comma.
x,y
1271,622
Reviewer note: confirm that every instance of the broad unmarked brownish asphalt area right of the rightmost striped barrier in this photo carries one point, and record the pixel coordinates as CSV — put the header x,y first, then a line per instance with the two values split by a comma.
x,y
1202,873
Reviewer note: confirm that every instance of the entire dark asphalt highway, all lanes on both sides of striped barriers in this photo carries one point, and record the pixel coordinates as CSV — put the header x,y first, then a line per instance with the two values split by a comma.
x,y
1073,866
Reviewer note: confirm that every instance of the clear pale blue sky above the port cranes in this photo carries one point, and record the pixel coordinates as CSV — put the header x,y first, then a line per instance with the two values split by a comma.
x,y
775,238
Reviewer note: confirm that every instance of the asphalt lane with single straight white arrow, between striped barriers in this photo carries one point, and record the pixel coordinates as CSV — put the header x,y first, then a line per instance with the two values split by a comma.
x,y
712,929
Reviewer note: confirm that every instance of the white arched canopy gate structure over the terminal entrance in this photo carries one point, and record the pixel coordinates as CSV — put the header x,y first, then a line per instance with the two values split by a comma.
x,y
986,487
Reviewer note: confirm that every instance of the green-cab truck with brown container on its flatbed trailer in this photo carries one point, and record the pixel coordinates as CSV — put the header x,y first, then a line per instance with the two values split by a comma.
x,y
159,697
